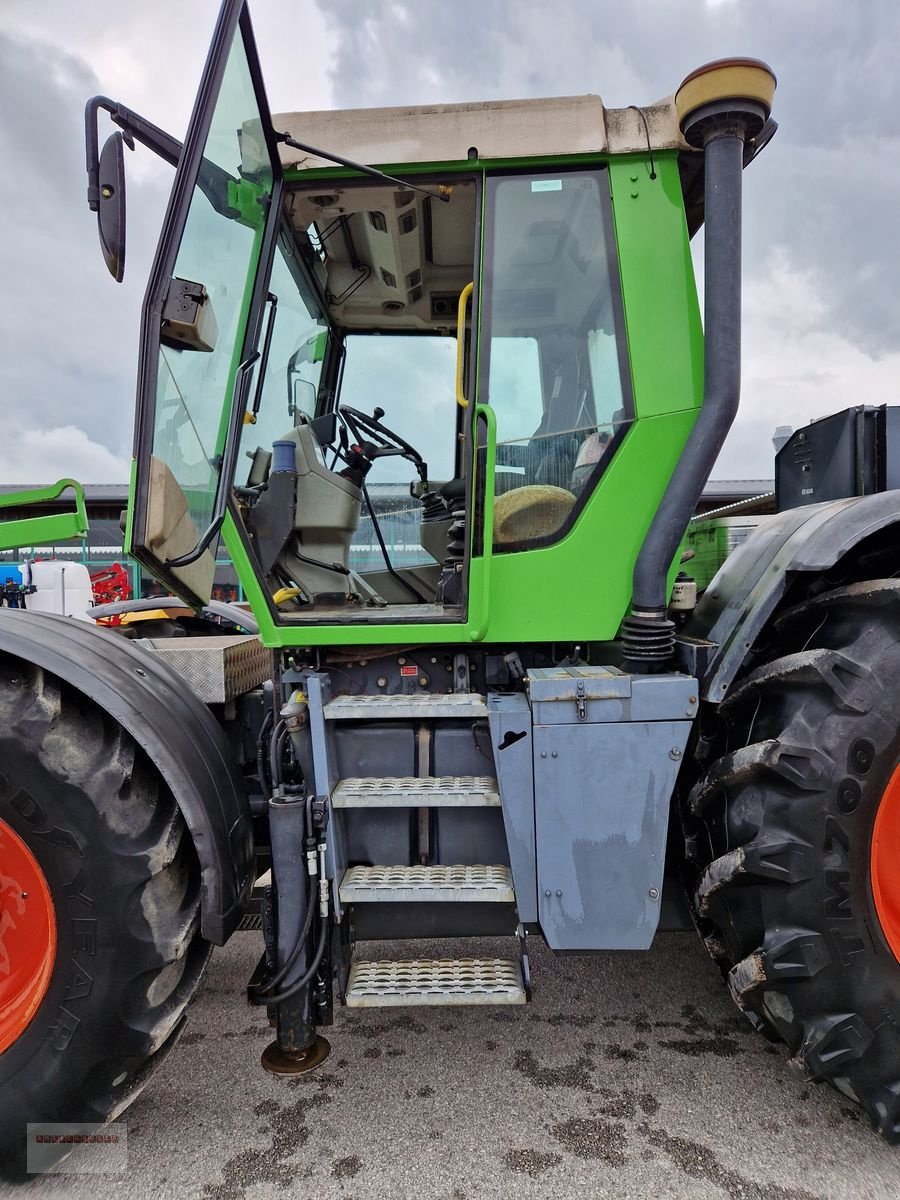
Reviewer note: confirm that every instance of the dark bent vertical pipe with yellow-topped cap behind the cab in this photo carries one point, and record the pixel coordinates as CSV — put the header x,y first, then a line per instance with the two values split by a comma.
x,y
722,107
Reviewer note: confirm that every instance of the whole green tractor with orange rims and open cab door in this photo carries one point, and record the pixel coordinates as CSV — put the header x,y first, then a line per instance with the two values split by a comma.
x,y
451,416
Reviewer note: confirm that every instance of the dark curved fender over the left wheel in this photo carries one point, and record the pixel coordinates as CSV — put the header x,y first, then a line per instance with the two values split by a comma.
x,y
176,730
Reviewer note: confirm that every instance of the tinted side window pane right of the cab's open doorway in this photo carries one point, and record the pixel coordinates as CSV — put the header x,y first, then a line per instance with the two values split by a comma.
x,y
555,349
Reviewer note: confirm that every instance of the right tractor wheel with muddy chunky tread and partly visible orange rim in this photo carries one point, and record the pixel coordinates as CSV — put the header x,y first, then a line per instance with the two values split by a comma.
x,y
794,844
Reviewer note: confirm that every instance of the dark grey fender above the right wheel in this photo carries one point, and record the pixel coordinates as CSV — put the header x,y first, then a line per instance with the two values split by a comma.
x,y
754,579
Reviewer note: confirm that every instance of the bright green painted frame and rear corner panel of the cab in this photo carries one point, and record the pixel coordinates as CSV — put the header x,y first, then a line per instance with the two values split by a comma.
x,y
584,581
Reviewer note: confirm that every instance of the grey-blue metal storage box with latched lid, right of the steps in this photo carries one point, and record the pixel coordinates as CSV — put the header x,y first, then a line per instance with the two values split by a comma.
x,y
608,748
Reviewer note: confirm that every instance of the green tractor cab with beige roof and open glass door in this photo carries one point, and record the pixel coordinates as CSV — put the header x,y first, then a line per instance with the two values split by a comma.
x,y
410,393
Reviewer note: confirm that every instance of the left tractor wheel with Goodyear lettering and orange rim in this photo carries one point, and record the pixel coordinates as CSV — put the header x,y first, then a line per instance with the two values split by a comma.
x,y
100,937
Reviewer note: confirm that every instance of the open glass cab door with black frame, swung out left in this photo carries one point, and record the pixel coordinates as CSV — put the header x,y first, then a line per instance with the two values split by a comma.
x,y
202,315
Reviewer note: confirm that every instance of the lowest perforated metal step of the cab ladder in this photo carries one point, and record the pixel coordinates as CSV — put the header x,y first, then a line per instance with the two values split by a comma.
x,y
436,982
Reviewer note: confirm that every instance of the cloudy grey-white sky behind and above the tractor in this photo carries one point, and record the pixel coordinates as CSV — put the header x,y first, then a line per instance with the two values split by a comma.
x,y
823,303
